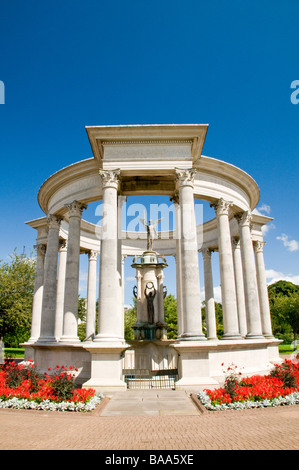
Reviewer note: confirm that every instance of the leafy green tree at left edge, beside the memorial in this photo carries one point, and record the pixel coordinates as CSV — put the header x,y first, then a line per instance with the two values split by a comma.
x,y
16,297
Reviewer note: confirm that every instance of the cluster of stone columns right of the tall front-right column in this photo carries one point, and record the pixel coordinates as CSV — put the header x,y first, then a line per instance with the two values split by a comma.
x,y
246,311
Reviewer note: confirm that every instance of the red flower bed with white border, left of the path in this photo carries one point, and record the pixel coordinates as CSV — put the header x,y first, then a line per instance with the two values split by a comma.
x,y
21,386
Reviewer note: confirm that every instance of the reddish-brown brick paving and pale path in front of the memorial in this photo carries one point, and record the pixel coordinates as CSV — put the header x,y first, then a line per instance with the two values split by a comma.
x,y
151,423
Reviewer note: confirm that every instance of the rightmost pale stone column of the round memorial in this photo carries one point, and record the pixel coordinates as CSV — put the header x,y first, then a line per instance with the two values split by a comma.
x,y
262,289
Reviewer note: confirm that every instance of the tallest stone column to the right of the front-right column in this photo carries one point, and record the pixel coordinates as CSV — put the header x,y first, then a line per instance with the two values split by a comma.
x,y
228,289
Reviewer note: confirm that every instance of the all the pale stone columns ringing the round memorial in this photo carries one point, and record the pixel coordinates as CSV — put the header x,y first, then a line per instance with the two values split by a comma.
x,y
243,282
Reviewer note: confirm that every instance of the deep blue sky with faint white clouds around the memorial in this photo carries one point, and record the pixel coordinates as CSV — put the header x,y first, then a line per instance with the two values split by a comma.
x,y
230,64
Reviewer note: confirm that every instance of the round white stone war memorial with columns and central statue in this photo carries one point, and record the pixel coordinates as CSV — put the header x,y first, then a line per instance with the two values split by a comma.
x,y
161,160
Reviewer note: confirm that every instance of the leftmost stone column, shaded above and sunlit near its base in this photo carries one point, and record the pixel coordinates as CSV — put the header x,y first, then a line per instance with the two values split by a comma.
x,y
38,293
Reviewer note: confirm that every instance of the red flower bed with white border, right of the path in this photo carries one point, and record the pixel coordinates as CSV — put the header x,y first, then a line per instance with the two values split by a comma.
x,y
280,387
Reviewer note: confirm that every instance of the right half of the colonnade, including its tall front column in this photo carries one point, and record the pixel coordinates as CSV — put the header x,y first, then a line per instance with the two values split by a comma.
x,y
246,312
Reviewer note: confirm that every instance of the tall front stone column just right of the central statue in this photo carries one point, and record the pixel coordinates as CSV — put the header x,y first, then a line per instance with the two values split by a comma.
x,y
192,322
